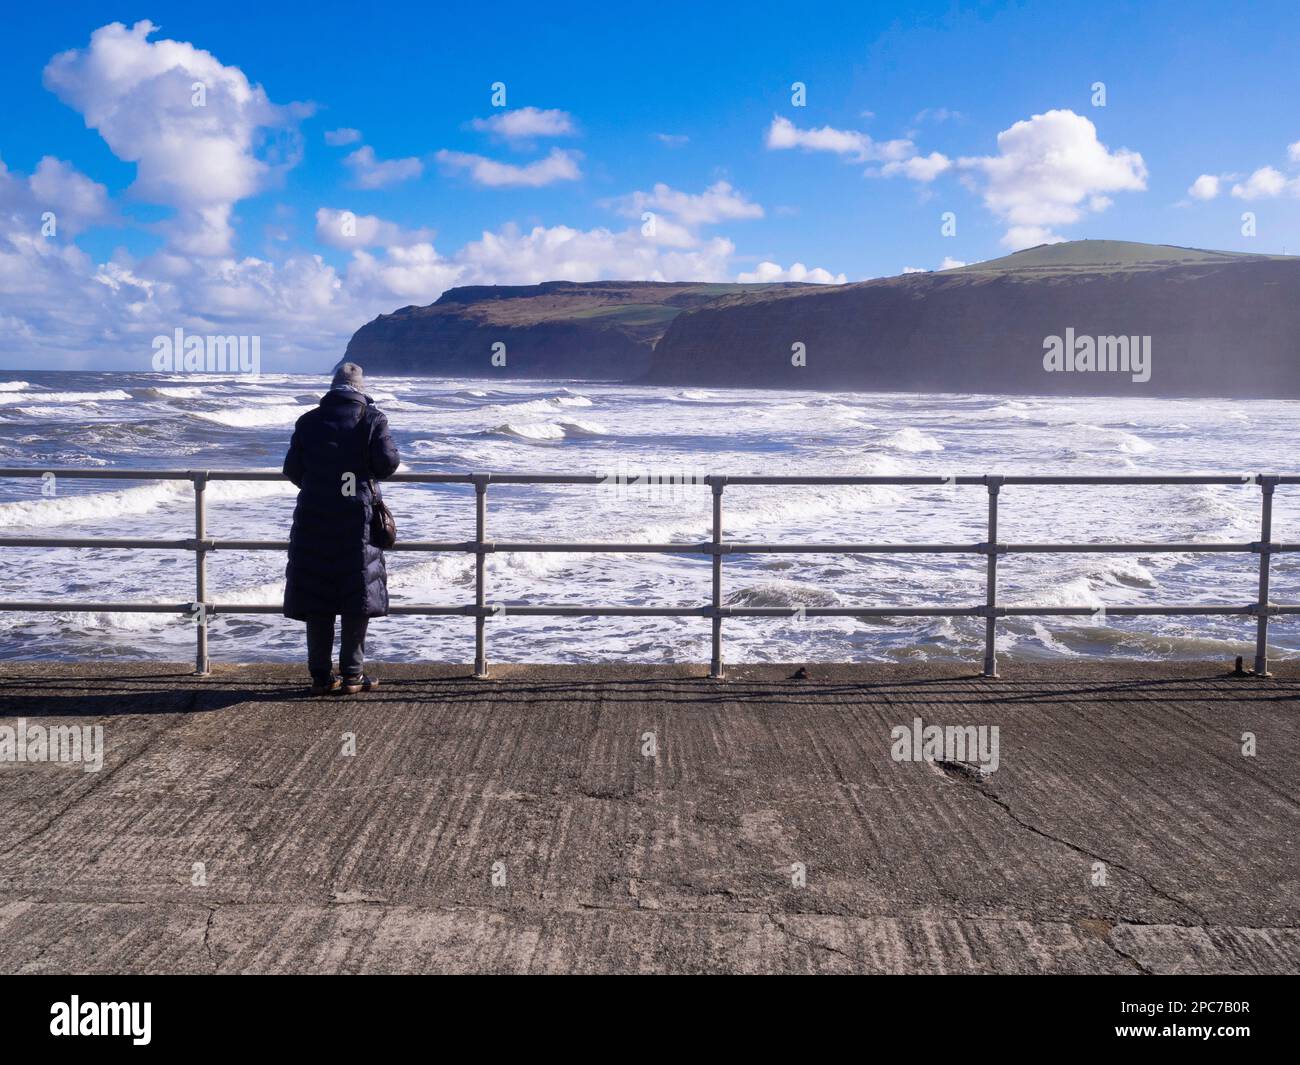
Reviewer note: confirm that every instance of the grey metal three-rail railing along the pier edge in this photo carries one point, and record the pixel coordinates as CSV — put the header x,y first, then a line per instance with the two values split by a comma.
x,y
717,549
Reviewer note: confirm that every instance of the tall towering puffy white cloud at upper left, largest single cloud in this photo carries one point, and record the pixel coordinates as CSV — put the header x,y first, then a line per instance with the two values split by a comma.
x,y
141,97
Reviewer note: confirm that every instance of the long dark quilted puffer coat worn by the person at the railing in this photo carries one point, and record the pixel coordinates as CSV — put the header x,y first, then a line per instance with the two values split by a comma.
x,y
333,569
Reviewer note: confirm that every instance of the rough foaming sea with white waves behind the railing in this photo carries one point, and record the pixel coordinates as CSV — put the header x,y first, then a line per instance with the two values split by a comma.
x,y
128,421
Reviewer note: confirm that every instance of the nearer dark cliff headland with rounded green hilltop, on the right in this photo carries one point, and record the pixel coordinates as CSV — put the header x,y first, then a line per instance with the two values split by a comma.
x,y
1199,324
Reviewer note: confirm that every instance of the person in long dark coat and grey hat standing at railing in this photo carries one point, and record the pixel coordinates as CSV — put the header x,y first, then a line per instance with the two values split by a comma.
x,y
335,569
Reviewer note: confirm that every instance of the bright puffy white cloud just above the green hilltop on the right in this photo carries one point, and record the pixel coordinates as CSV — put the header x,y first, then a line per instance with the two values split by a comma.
x,y
1051,170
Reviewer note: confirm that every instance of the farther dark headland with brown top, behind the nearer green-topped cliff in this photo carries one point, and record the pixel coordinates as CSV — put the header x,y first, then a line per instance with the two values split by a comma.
x,y
601,331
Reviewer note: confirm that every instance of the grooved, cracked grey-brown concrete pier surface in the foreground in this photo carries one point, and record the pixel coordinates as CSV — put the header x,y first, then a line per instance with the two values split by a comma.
x,y
521,825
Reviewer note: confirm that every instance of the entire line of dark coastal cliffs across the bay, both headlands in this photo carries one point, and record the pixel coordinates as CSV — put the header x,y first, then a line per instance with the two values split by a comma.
x,y
1128,319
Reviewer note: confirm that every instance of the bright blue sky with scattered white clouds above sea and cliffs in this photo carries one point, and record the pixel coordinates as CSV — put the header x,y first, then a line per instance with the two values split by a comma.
x,y
229,217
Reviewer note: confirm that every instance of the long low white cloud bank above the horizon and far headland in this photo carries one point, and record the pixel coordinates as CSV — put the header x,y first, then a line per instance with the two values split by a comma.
x,y
60,308
